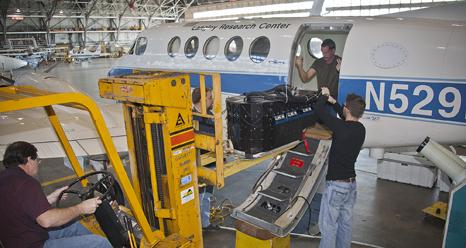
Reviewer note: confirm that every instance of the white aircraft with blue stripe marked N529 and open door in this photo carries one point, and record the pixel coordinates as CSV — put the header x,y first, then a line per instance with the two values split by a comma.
x,y
411,71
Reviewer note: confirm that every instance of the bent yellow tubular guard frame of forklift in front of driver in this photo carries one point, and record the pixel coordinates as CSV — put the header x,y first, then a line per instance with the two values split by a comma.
x,y
27,97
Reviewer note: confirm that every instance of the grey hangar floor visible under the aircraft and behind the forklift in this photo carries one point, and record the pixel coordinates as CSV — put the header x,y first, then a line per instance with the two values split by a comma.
x,y
387,214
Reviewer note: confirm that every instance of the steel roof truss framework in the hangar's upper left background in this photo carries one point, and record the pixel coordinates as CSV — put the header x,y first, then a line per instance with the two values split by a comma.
x,y
45,17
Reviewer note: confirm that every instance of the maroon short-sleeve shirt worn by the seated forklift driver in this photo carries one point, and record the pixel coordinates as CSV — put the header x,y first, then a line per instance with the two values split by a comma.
x,y
21,202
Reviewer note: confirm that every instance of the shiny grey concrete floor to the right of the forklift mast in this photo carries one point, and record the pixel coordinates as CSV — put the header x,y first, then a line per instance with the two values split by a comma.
x,y
386,214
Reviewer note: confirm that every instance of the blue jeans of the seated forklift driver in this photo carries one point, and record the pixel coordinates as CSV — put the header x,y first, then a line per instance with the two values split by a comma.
x,y
75,235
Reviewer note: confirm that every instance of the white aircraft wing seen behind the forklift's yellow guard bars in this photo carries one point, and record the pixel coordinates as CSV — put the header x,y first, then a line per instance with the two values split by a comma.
x,y
32,125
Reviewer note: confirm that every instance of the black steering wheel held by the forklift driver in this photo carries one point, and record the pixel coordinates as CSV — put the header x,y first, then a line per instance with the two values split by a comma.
x,y
103,186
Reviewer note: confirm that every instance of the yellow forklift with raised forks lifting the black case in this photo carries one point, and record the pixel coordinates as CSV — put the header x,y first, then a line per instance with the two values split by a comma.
x,y
162,194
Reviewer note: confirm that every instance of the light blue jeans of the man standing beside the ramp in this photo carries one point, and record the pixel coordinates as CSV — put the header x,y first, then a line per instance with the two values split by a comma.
x,y
336,214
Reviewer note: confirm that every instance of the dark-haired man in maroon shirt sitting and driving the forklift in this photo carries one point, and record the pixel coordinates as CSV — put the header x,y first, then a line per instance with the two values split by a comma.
x,y
28,219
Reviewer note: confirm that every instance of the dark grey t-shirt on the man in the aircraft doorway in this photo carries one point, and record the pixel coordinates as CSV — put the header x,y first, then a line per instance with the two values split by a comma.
x,y
327,75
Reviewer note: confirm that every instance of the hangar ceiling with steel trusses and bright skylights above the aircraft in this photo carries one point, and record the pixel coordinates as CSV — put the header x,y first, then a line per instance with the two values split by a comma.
x,y
119,21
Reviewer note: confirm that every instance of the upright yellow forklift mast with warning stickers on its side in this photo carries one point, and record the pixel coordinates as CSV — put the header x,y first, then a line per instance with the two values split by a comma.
x,y
158,117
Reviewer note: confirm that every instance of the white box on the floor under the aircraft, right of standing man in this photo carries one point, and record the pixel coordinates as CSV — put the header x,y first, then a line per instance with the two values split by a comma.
x,y
407,169
